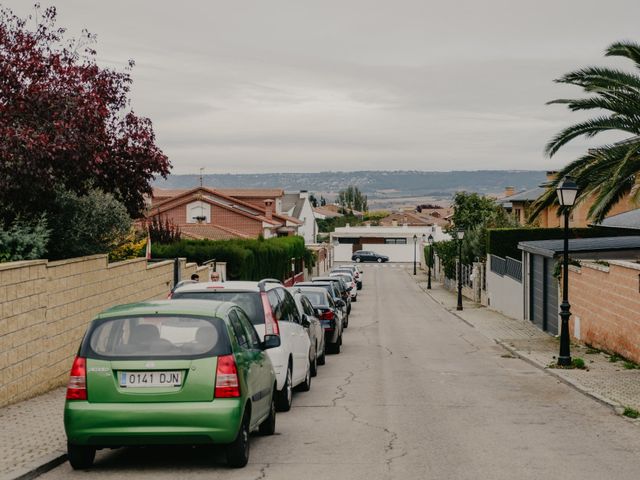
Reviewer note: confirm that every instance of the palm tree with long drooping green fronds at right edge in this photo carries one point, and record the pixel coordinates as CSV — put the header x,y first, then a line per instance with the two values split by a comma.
x,y
606,173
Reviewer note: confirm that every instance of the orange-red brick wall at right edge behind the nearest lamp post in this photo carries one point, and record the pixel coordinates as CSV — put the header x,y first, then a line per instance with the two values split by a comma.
x,y
605,305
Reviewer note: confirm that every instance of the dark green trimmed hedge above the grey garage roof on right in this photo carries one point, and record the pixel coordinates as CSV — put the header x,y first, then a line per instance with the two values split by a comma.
x,y
503,242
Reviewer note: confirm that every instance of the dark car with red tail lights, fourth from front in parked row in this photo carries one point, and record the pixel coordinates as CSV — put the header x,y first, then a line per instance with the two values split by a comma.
x,y
327,311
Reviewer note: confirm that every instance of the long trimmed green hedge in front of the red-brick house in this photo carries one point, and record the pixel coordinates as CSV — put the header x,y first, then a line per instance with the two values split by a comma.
x,y
246,259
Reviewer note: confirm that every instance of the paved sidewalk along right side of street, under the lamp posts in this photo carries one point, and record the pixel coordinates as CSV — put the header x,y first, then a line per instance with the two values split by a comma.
x,y
608,382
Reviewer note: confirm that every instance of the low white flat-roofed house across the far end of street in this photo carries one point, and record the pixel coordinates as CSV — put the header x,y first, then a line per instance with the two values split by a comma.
x,y
398,243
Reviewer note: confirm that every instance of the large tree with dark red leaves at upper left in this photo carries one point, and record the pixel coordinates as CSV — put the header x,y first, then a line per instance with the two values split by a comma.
x,y
66,123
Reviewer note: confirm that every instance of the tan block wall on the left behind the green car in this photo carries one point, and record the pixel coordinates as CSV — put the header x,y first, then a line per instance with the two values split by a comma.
x,y
45,308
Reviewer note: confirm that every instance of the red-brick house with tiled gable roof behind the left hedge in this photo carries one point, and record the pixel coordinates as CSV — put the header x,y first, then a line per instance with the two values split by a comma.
x,y
203,212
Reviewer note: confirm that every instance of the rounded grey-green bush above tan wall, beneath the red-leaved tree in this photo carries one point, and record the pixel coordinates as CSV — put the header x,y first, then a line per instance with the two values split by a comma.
x,y
86,225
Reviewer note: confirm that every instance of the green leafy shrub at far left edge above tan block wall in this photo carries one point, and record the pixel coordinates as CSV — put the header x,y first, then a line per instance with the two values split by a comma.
x,y
24,240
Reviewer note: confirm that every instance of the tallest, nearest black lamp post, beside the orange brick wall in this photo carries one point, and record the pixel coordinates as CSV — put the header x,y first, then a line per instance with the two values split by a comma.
x,y
567,192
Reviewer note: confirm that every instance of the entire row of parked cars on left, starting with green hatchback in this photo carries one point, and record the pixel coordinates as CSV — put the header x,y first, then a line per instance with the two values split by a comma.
x,y
209,365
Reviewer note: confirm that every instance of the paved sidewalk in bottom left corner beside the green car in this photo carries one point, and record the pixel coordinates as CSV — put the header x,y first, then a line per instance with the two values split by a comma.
x,y
32,436
